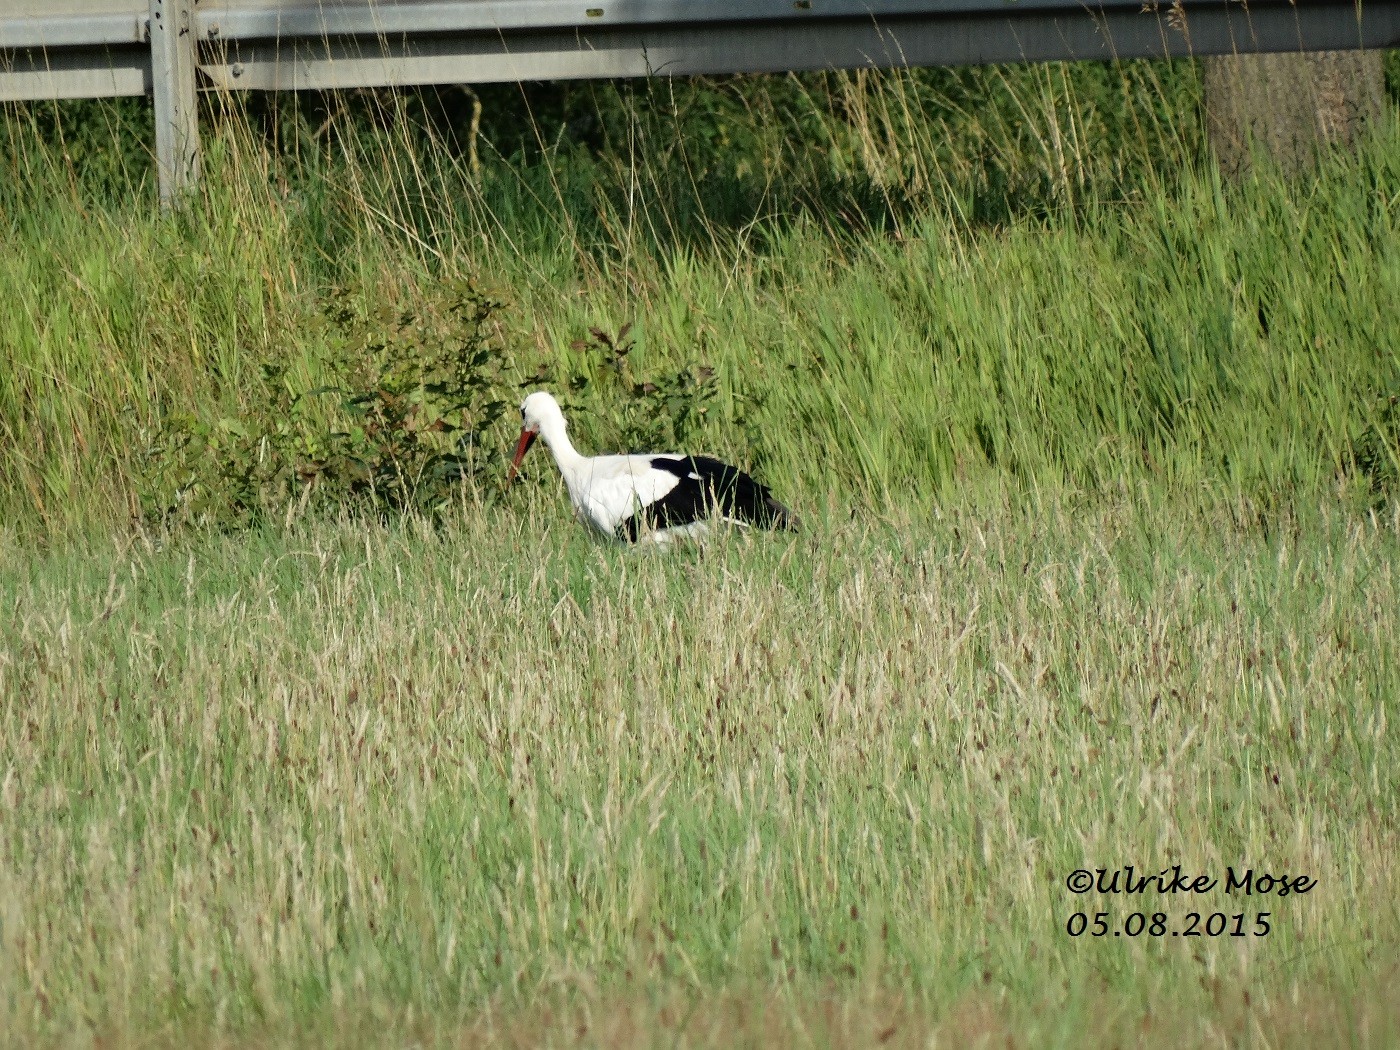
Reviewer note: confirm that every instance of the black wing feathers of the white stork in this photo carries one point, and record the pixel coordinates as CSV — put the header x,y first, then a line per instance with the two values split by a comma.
x,y
705,486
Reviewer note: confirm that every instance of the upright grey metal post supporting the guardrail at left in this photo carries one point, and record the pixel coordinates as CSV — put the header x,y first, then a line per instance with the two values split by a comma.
x,y
173,86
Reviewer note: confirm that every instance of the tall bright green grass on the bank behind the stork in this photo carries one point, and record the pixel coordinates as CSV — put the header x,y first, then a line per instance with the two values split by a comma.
x,y
878,328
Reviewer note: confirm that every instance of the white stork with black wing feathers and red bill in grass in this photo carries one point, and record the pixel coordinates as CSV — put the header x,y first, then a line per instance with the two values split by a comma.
x,y
654,498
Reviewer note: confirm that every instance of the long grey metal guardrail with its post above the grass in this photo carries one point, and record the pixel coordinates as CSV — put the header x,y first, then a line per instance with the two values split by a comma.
x,y
173,48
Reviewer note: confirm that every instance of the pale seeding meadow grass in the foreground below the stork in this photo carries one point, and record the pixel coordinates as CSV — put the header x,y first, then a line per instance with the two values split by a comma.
x,y
496,776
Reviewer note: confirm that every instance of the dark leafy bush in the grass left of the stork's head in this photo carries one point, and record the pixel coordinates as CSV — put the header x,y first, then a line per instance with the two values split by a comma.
x,y
395,425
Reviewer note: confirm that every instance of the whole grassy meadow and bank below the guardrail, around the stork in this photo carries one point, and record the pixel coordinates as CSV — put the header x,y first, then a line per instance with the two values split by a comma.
x,y
1100,465
